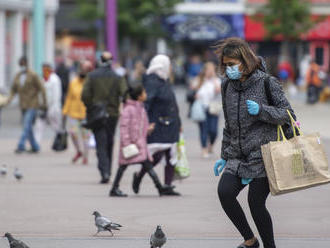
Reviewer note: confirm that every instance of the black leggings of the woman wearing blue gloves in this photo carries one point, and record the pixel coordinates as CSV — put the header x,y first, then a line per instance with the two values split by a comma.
x,y
229,188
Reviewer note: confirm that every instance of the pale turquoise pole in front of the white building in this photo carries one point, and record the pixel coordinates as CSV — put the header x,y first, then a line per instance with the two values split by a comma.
x,y
39,36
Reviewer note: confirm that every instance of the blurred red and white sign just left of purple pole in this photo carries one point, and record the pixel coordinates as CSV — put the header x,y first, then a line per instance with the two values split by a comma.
x,y
81,50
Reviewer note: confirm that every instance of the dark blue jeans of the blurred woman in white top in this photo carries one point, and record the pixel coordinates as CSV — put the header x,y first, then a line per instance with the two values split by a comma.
x,y
208,129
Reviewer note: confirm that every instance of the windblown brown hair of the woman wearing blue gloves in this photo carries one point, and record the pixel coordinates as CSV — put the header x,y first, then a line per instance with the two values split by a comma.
x,y
237,48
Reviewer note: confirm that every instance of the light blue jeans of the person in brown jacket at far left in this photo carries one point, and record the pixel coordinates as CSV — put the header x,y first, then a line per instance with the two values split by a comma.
x,y
29,116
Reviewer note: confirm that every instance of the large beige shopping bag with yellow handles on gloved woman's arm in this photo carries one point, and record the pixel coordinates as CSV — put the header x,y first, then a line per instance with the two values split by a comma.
x,y
295,164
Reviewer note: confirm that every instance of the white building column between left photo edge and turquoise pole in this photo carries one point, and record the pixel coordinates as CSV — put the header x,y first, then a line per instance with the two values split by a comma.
x,y
17,42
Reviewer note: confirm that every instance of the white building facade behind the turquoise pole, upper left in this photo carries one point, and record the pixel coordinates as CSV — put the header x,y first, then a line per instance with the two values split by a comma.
x,y
17,34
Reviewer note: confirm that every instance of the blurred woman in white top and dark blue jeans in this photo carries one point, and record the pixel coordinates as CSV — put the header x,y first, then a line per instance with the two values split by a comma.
x,y
207,87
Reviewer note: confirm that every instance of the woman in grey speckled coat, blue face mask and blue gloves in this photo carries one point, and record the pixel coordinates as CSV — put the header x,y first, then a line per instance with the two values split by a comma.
x,y
251,120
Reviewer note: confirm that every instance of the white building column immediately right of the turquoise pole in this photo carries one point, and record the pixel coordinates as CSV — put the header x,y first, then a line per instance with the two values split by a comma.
x,y
50,39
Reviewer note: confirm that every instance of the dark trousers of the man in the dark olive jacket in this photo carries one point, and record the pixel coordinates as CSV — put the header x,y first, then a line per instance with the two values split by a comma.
x,y
104,144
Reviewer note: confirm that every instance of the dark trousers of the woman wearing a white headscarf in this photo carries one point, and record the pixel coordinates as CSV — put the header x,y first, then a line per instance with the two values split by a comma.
x,y
169,168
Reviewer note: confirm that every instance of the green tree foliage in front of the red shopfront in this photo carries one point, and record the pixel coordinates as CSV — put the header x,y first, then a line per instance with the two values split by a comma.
x,y
289,18
